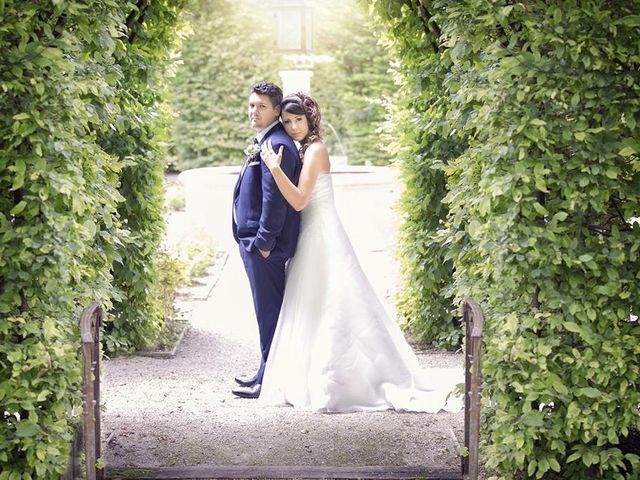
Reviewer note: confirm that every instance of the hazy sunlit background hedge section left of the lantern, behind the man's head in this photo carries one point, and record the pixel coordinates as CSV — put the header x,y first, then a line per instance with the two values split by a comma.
x,y
226,51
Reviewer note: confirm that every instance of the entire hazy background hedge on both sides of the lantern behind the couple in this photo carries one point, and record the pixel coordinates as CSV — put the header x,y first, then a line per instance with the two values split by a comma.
x,y
231,45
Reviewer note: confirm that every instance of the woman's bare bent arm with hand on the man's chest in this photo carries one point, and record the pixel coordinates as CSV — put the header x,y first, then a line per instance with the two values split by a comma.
x,y
316,161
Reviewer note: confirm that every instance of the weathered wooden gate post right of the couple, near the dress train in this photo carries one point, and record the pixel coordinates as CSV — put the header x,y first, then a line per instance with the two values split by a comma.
x,y
474,322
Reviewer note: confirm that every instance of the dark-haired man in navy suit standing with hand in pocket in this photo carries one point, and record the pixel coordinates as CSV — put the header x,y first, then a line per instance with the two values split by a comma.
x,y
264,225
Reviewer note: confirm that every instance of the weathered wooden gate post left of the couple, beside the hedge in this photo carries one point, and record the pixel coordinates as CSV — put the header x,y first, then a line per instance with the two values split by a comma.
x,y
90,334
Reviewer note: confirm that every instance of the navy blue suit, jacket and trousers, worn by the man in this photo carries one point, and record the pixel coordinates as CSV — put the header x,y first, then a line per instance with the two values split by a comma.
x,y
263,220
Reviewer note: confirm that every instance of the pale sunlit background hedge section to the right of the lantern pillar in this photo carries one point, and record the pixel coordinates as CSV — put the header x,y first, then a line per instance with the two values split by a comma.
x,y
353,87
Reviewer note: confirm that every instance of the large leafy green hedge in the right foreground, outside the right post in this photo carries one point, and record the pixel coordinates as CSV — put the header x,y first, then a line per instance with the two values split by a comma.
x,y
540,225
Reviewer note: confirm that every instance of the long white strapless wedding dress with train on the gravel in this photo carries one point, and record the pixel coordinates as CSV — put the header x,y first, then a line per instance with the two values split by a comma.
x,y
335,349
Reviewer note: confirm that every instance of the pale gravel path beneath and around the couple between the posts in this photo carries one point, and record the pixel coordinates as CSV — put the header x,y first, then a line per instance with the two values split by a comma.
x,y
180,411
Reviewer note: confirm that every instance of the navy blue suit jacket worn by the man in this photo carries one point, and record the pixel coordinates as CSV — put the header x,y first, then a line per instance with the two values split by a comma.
x,y
263,219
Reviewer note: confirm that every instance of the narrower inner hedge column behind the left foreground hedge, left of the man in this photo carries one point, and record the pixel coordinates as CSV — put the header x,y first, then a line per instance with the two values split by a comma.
x,y
136,139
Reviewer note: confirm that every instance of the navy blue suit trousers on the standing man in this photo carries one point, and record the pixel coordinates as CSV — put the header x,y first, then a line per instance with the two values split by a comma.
x,y
266,277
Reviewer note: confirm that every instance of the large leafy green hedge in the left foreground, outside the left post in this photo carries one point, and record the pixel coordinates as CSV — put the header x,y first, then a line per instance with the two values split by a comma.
x,y
62,96
